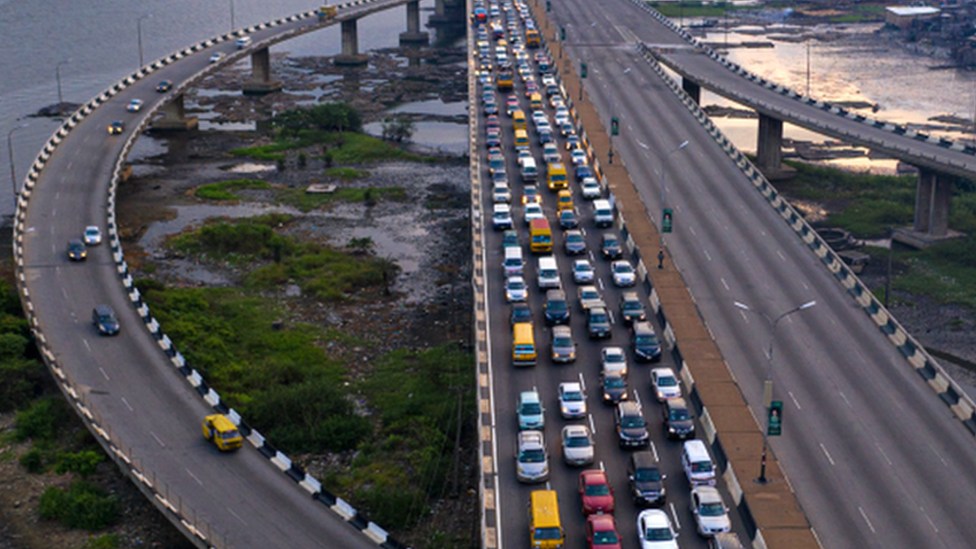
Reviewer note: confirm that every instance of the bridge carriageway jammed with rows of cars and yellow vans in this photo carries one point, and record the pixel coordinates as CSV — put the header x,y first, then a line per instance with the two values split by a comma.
x,y
585,402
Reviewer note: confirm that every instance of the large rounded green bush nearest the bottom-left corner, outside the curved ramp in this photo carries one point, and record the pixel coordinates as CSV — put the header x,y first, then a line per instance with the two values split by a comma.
x,y
82,505
